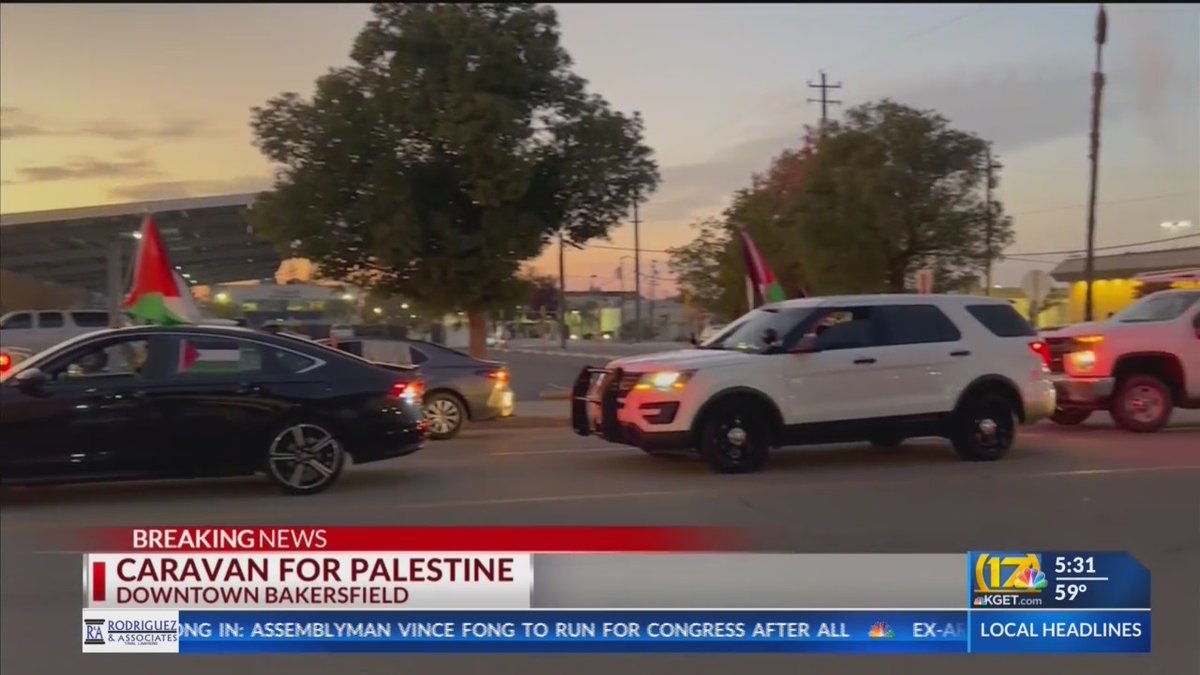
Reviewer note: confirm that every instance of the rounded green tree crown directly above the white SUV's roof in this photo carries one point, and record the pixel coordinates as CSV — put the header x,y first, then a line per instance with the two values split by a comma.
x,y
893,190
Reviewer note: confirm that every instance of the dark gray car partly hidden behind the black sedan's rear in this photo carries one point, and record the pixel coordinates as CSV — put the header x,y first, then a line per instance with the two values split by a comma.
x,y
458,387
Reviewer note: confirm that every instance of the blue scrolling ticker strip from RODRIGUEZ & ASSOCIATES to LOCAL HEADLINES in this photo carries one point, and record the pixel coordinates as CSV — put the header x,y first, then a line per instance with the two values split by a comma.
x,y
865,631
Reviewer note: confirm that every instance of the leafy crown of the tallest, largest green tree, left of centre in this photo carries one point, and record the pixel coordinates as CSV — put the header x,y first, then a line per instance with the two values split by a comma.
x,y
451,152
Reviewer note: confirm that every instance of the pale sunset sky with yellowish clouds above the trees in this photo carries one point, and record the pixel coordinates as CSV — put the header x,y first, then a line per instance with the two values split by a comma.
x,y
109,104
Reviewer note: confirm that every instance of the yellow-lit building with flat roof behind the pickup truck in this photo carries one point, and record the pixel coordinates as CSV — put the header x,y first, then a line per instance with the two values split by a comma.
x,y
1115,279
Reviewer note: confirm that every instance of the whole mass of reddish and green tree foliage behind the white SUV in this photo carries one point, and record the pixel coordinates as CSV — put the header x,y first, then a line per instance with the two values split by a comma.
x,y
857,210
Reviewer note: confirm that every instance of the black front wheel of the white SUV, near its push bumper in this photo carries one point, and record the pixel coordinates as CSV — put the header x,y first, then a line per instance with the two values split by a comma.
x,y
735,438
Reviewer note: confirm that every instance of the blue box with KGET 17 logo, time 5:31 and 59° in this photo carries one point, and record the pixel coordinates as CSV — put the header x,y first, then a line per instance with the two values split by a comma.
x,y
1057,581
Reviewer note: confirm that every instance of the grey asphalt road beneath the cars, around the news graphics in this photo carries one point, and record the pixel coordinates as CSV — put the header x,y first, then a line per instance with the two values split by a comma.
x,y
1090,488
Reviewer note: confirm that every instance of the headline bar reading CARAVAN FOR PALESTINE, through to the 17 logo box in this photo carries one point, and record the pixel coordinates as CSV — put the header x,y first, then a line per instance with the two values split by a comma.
x,y
379,581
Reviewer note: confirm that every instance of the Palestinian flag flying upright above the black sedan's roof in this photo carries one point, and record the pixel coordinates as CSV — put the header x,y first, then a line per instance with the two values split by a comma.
x,y
159,295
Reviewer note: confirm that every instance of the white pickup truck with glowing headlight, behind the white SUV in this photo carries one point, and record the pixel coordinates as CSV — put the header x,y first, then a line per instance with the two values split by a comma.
x,y
1139,365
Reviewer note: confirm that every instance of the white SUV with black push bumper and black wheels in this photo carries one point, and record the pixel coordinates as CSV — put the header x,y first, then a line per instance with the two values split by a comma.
x,y
825,371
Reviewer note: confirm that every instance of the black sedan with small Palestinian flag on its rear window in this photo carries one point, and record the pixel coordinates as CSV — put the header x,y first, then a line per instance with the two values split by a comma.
x,y
202,402
